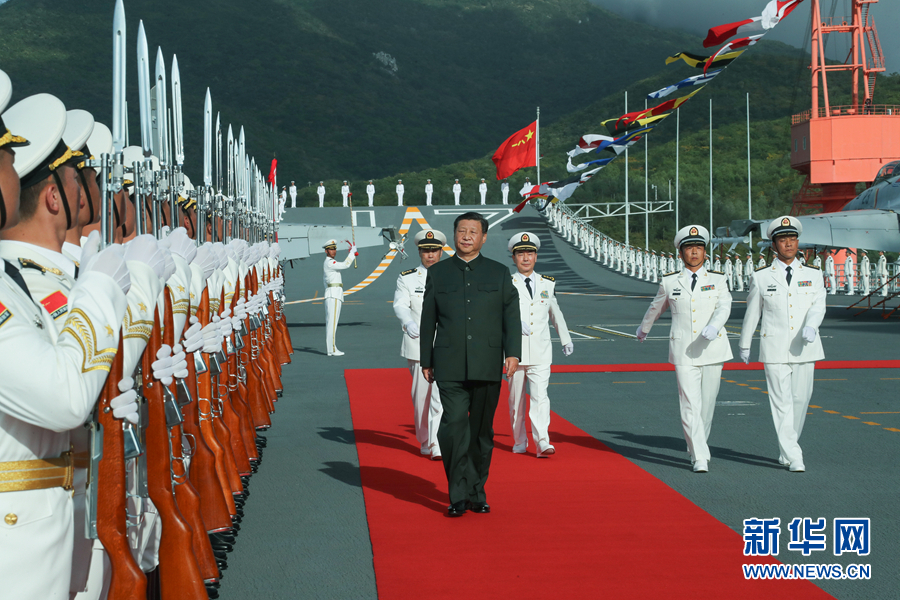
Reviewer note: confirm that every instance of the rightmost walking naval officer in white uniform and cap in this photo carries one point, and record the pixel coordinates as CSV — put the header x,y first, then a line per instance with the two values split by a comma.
x,y
790,298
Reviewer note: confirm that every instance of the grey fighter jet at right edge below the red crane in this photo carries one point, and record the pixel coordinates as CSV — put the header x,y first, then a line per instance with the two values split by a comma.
x,y
871,220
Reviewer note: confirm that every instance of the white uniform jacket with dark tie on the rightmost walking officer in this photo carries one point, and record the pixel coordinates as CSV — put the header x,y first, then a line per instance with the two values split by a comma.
x,y
785,310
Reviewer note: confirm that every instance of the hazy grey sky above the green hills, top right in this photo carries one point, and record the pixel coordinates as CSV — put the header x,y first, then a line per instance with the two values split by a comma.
x,y
697,16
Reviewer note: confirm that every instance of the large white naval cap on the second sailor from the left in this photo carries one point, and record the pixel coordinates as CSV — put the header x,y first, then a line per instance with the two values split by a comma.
x,y
42,120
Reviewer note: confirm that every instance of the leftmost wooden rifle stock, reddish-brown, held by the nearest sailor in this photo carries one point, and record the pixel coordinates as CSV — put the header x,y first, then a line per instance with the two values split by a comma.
x,y
128,580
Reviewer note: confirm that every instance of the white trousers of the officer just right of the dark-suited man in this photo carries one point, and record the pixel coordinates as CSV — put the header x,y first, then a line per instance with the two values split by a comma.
x,y
538,377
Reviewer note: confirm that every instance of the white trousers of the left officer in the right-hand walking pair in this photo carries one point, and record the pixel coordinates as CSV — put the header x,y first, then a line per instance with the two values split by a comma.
x,y
698,388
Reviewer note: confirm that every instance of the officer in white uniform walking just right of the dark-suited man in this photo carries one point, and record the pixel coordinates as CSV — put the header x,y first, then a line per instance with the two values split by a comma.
x,y
538,308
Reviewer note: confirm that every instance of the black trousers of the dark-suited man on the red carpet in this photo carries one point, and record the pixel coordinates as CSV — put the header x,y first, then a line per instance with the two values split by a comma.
x,y
466,435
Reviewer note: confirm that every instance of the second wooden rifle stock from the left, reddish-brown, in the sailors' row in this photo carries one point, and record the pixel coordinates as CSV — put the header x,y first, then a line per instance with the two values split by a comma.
x,y
179,576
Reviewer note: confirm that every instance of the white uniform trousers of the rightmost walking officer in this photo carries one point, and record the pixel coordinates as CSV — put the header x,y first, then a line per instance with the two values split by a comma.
x,y
790,388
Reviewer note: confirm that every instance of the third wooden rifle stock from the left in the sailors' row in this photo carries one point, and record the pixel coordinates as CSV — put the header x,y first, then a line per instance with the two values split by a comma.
x,y
186,496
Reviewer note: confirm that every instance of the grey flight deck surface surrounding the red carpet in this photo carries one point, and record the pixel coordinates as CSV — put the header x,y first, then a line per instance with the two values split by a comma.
x,y
304,534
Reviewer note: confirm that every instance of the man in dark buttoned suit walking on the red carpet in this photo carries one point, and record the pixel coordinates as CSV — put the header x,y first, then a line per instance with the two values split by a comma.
x,y
471,304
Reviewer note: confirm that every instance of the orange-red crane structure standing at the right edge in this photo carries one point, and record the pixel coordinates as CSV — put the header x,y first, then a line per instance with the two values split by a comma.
x,y
837,147
